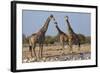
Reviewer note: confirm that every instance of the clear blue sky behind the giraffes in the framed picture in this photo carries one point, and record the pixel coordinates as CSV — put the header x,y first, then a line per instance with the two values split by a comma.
x,y
33,20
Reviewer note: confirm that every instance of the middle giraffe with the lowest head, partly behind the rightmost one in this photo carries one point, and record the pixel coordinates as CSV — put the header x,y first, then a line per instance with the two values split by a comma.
x,y
63,37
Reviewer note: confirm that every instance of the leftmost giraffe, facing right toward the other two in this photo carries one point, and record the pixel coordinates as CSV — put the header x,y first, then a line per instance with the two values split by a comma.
x,y
39,38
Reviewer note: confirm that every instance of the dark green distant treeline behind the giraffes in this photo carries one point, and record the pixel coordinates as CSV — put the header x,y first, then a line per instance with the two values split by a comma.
x,y
55,39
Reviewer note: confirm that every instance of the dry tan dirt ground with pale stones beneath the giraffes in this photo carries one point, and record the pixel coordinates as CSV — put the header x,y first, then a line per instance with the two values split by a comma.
x,y
55,53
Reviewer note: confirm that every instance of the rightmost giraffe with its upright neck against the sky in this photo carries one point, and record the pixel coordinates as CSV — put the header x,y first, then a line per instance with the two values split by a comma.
x,y
73,37
